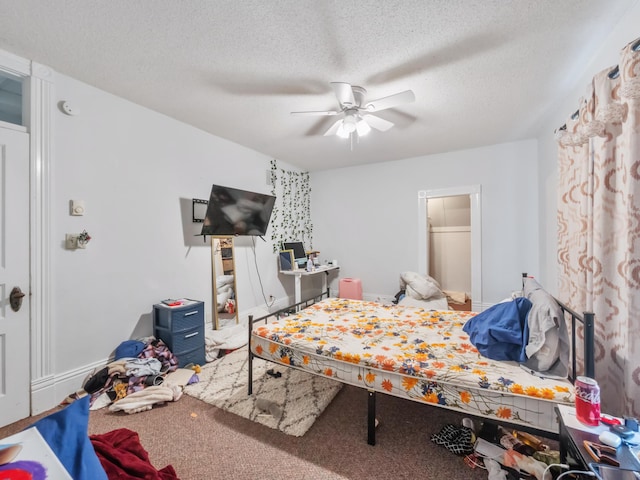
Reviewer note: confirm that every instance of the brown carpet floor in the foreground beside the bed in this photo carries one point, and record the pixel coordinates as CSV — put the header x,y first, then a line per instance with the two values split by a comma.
x,y
204,442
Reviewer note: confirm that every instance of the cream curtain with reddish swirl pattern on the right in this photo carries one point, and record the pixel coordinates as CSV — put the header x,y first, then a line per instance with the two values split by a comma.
x,y
599,225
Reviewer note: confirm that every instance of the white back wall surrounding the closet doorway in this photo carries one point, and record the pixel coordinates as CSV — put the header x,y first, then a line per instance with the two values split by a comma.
x,y
367,217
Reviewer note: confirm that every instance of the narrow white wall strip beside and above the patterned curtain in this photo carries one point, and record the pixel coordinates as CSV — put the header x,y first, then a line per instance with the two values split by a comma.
x,y
605,56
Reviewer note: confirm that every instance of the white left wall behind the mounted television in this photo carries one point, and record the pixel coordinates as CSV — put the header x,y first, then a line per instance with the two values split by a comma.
x,y
137,172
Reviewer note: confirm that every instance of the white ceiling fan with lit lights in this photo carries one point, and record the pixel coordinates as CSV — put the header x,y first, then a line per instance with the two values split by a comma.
x,y
358,119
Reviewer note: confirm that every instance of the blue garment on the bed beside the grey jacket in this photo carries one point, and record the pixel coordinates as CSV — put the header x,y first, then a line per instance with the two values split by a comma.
x,y
501,332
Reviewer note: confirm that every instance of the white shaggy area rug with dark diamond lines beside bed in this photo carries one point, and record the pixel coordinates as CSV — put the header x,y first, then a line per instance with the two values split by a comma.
x,y
290,403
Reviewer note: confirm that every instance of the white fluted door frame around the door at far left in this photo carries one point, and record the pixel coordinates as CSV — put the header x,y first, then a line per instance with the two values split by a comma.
x,y
38,107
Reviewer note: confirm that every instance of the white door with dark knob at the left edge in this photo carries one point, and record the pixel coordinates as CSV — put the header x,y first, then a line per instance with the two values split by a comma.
x,y
14,272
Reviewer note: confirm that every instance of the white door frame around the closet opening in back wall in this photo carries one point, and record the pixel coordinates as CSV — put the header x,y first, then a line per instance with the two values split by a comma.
x,y
474,192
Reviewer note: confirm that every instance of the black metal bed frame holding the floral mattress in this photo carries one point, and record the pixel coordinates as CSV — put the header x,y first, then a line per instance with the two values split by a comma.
x,y
587,321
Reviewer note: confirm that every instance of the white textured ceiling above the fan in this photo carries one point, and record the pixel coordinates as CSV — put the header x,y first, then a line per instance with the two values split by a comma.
x,y
483,72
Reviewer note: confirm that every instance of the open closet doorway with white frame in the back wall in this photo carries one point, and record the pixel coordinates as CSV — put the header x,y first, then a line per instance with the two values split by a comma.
x,y
449,242
